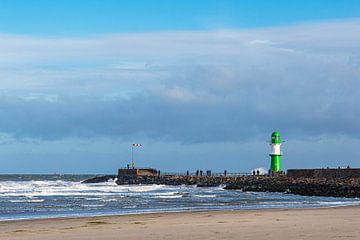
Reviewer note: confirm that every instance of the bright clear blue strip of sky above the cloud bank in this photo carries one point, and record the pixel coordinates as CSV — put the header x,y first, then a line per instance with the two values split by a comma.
x,y
66,17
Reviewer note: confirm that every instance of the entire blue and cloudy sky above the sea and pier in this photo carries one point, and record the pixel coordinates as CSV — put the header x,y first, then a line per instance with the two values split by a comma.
x,y
200,84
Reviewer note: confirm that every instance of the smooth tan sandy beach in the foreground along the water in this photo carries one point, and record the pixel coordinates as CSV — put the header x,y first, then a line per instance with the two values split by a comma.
x,y
322,223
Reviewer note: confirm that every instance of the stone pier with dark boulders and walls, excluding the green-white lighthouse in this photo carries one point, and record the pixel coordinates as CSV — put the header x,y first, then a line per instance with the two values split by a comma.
x,y
340,185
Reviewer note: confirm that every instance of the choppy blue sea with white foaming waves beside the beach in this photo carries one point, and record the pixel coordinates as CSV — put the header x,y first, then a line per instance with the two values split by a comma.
x,y
50,196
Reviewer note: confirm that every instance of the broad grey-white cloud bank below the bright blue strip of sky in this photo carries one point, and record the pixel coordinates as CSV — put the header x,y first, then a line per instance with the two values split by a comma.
x,y
189,87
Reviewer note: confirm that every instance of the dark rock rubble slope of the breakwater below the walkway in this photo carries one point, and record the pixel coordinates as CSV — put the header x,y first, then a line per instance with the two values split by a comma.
x,y
335,187
